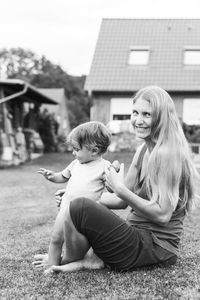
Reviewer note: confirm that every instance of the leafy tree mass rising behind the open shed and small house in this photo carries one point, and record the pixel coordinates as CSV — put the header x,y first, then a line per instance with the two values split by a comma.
x,y
40,72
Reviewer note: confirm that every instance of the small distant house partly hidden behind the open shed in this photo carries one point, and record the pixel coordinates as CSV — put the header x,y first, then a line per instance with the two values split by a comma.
x,y
59,111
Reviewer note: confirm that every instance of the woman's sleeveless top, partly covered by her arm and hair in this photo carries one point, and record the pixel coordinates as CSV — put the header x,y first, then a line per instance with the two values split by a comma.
x,y
167,236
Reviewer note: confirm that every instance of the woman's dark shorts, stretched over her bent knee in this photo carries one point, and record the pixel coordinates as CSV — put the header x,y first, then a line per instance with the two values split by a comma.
x,y
120,245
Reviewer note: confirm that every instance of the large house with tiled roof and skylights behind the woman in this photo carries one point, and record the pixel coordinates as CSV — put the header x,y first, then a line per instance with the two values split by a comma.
x,y
134,53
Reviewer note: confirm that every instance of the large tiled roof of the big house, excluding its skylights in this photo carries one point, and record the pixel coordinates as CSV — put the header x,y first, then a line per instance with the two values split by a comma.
x,y
166,39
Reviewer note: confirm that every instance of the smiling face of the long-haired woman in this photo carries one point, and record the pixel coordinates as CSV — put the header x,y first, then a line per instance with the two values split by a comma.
x,y
141,118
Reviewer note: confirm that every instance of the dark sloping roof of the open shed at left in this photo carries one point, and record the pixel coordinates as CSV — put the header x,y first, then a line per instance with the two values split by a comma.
x,y
19,89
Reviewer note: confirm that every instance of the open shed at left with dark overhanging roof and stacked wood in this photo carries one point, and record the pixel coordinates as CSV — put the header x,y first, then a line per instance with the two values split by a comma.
x,y
19,108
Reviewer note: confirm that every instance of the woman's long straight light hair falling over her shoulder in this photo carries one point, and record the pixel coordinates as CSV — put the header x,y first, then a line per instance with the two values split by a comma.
x,y
170,168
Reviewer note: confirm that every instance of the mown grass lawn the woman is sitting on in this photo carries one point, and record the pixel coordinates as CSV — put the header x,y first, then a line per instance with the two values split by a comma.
x,y
27,214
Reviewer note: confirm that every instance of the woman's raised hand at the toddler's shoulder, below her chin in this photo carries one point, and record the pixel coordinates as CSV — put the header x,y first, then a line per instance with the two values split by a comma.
x,y
114,180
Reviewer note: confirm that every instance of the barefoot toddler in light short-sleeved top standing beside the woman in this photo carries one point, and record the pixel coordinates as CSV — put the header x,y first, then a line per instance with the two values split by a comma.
x,y
84,176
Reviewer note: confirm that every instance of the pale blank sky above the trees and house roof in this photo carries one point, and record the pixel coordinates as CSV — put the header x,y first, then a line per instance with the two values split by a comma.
x,y
66,31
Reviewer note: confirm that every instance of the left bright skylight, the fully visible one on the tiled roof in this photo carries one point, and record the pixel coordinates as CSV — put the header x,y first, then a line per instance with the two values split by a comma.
x,y
138,57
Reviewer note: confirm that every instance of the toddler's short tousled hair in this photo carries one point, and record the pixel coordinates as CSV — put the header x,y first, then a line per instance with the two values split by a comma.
x,y
91,135
